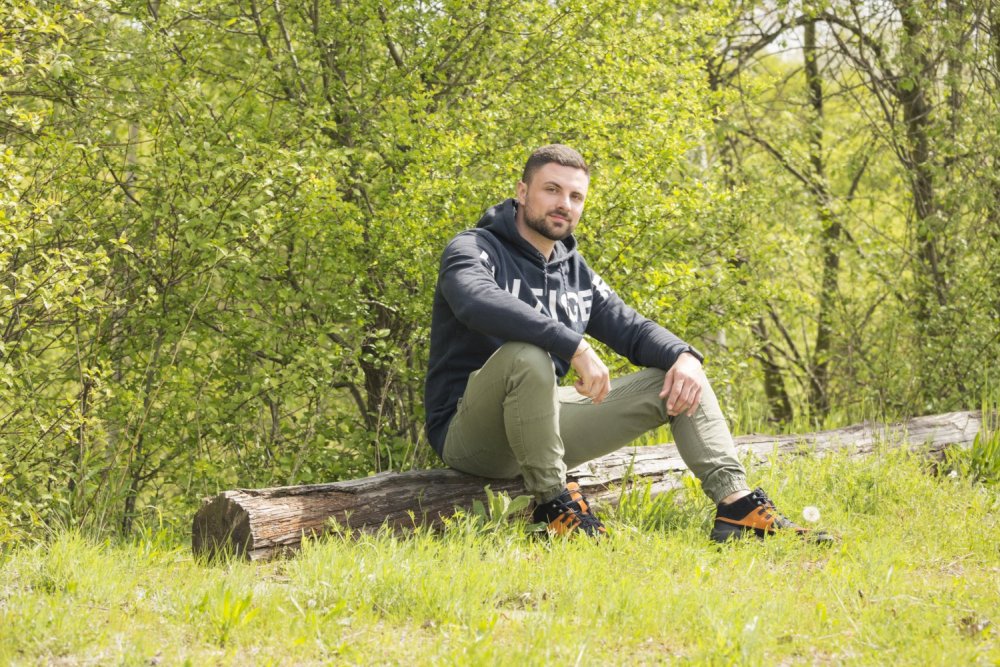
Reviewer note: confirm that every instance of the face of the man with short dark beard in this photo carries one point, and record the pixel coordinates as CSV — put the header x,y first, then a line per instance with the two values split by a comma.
x,y
553,200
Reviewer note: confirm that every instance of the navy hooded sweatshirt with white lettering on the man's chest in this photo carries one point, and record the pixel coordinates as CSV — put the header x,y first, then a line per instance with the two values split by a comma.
x,y
493,287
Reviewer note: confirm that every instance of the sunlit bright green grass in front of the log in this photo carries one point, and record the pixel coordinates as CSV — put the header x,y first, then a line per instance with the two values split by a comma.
x,y
915,579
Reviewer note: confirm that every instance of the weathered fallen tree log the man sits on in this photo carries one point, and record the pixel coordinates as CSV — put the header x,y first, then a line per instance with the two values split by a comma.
x,y
262,523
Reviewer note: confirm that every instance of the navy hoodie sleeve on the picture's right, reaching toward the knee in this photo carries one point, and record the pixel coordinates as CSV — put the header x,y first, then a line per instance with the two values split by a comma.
x,y
638,339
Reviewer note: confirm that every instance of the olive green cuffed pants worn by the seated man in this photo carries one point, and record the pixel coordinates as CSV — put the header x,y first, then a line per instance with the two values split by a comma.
x,y
515,420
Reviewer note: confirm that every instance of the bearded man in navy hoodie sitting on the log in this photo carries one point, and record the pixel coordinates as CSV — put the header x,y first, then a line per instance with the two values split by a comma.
x,y
514,299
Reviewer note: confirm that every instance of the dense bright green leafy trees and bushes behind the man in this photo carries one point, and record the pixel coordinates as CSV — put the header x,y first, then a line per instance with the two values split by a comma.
x,y
220,221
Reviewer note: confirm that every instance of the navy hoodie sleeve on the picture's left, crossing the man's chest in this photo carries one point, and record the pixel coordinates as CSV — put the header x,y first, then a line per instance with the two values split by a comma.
x,y
471,291
